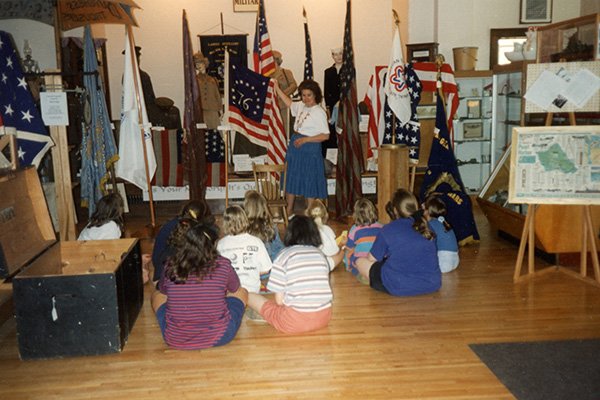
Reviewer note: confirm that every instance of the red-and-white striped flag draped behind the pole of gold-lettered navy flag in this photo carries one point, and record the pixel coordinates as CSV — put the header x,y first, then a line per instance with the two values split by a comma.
x,y
427,72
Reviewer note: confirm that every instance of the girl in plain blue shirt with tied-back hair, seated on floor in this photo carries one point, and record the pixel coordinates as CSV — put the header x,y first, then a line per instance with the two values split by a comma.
x,y
403,260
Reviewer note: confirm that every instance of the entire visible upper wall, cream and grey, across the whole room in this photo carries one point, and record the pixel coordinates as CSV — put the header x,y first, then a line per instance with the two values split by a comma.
x,y
461,23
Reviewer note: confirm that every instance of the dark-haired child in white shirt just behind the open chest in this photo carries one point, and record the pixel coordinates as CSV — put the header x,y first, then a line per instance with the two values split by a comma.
x,y
107,221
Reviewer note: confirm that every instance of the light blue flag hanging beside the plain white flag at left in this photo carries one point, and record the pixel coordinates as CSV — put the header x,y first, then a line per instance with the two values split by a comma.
x,y
98,148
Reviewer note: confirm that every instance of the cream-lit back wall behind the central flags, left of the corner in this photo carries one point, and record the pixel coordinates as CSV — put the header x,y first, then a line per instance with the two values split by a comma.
x,y
160,36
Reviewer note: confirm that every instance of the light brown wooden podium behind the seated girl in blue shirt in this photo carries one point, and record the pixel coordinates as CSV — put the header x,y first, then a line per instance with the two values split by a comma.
x,y
392,174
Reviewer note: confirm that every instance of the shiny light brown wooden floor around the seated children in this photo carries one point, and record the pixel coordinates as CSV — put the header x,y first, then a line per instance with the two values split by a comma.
x,y
376,346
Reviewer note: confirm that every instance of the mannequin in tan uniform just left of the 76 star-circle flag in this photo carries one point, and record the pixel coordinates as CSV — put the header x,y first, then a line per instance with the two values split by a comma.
x,y
212,105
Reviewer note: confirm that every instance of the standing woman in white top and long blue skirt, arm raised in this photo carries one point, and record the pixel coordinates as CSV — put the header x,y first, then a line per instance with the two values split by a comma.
x,y
305,169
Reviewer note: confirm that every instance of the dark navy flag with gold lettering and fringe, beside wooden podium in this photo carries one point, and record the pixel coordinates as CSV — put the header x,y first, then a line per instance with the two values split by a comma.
x,y
443,178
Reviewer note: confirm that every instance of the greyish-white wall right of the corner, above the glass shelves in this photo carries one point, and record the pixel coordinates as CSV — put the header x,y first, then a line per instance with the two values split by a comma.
x,y
466,23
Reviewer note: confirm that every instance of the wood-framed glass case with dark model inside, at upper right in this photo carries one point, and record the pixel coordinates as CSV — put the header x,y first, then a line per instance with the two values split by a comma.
x,y
571,40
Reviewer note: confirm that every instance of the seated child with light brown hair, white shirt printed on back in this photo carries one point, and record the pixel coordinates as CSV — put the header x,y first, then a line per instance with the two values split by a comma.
x,y
247,253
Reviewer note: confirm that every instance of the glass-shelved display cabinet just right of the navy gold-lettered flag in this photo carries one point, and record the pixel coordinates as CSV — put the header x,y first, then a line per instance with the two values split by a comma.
x,y
473,128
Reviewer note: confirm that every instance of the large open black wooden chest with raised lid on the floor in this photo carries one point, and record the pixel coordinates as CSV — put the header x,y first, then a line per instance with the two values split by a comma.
x,y
70,298
